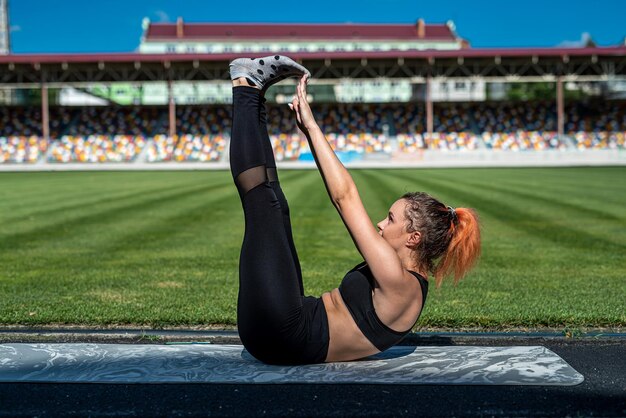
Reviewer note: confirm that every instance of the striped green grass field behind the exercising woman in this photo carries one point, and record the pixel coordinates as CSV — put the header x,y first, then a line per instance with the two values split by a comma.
x,y
161,248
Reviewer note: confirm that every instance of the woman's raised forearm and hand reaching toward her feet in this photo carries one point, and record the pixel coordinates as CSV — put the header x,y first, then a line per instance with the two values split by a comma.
x,y
338,181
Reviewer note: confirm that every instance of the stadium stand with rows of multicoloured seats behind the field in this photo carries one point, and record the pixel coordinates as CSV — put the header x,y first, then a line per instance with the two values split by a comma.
x,y
120,134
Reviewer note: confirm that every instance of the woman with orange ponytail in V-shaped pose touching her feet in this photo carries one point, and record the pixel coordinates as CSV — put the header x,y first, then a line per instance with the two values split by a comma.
x,y
380,299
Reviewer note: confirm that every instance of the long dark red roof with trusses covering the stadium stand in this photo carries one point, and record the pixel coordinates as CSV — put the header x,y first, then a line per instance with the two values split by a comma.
x,y
591,63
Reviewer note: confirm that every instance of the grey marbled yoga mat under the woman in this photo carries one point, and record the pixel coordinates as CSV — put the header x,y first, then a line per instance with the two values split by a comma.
x,y
206,363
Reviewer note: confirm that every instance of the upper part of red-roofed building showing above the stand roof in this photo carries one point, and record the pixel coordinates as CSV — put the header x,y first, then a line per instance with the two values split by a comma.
x,y
289,38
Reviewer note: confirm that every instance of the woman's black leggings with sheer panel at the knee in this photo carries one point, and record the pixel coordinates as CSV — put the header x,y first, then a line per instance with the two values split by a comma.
x,y
277,324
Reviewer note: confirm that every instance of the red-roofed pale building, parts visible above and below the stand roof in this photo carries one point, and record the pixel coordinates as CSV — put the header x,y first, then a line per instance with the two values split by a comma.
x,y
289,38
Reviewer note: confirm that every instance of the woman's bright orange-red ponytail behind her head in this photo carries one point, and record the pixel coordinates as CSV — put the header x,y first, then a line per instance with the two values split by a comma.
x,y
464,248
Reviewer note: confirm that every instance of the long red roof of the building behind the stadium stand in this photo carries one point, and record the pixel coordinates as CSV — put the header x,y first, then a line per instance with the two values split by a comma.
x,y
253,31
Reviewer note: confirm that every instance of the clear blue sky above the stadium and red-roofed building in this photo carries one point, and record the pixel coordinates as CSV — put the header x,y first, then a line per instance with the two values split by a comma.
x,y
115,25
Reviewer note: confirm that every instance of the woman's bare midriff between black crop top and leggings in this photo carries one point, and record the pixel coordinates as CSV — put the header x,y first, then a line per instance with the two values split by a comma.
x,y
347,342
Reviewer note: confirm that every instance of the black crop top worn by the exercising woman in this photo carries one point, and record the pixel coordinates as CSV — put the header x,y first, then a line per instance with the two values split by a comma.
x,y
356,292
